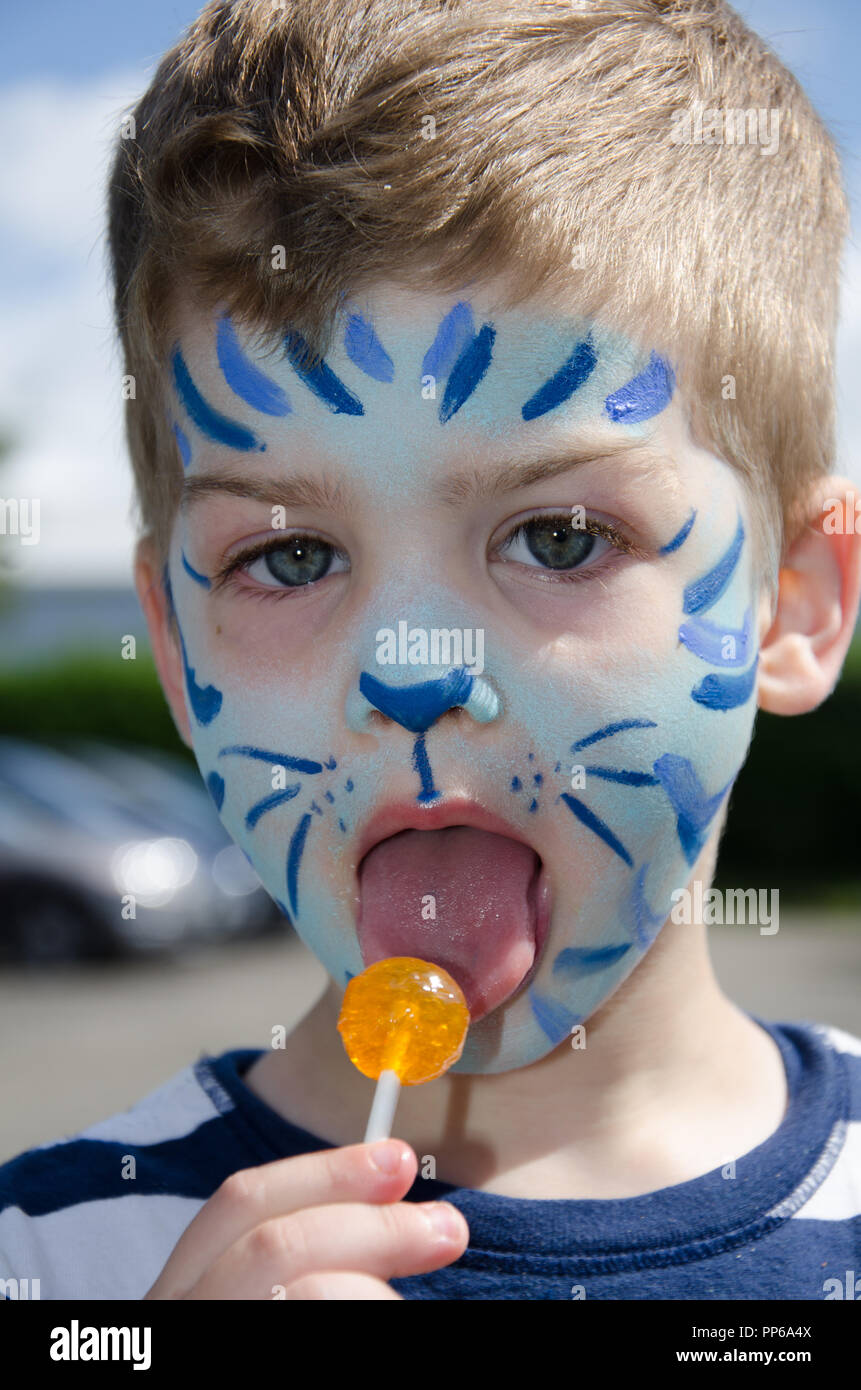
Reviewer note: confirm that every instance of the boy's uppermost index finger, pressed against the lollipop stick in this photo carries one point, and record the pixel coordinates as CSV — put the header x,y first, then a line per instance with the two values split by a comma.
x,y
254,1196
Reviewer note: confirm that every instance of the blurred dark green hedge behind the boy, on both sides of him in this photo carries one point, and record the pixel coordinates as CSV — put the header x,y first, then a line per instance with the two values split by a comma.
x,y
795,814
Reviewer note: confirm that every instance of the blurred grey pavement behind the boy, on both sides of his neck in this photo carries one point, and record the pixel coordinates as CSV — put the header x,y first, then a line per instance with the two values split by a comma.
x,y
81,1043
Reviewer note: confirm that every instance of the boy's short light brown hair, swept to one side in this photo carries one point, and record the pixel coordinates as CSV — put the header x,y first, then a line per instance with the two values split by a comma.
x,y
556,149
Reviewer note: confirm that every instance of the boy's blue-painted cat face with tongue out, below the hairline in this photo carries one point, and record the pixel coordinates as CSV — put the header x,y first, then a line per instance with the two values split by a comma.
x,y
469,635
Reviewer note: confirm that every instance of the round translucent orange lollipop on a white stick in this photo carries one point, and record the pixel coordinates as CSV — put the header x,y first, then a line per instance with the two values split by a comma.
x,y
403,1022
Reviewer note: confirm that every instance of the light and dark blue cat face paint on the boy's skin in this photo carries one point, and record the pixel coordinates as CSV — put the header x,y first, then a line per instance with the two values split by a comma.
x,y
557,687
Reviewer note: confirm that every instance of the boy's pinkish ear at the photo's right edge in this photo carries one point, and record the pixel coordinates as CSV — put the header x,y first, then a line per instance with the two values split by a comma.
x,y
803,653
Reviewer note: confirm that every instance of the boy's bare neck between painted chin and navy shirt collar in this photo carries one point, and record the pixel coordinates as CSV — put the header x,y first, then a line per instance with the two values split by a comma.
x,y
674,1082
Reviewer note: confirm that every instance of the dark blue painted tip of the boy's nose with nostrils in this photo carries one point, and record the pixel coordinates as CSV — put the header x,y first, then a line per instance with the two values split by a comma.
x,y
421,704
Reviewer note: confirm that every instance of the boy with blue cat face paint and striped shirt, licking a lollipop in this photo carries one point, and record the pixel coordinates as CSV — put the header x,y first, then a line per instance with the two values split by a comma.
x,y
482,437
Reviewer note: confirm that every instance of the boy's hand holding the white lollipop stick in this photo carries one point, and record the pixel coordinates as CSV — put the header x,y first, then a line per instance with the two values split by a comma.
x,y
328,1225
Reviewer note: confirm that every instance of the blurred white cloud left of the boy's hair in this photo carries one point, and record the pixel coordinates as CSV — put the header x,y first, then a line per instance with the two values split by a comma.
x,y
59,365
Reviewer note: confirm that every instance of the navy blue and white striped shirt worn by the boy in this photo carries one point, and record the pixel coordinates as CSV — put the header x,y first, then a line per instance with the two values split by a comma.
x,y
97,1216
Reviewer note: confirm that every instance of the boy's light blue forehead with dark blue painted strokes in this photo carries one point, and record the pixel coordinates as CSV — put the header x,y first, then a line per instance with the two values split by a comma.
x,y
411,377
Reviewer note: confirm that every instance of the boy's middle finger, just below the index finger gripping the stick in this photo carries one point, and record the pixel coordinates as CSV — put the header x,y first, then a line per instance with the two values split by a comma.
x,y
386,1242
